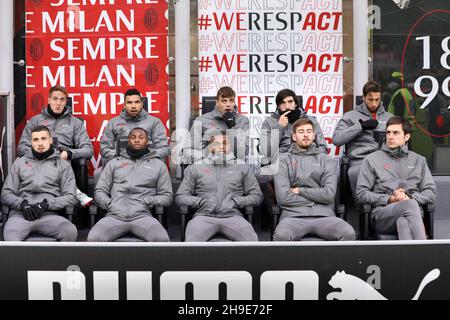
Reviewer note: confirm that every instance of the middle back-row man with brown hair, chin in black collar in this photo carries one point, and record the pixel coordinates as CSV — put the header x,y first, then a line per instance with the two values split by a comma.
x,y
223,117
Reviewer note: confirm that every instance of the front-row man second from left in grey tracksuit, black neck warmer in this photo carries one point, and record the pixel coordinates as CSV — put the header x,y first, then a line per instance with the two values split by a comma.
x,y
129,187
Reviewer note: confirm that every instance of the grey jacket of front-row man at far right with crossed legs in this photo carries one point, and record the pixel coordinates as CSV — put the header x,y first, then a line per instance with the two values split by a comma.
x,y
387,169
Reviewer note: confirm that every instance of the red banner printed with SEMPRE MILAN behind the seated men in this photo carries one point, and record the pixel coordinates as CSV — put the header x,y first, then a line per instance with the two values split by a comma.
x,y
97,49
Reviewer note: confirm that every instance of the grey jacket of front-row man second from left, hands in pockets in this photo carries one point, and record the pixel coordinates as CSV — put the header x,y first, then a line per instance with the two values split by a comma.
x,y
129,188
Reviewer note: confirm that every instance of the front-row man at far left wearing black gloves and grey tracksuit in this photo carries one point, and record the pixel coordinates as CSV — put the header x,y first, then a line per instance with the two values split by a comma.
x,y
39,185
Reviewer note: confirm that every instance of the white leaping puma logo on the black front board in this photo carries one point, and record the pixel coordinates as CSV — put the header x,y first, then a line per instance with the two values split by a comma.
x,y
353,288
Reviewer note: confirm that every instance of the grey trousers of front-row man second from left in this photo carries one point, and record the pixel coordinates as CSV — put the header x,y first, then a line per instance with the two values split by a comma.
x,y
109,229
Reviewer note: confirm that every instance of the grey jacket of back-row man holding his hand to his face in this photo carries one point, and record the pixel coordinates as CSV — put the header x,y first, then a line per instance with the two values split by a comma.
x,y
271,124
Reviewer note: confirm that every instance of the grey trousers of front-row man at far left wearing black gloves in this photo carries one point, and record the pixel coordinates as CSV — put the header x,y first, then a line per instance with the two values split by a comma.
x,y
18,229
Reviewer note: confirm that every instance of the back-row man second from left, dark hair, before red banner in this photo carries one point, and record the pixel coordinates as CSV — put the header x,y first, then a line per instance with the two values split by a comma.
x,y
133,115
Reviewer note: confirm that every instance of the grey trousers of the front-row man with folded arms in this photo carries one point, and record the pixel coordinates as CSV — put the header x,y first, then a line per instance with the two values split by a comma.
x,y
328,228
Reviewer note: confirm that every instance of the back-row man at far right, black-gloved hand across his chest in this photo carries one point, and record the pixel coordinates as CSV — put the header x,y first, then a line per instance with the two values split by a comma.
x,y
360,129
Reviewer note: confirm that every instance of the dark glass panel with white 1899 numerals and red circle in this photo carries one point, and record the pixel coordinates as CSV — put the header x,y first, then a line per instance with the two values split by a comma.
x,y
411,50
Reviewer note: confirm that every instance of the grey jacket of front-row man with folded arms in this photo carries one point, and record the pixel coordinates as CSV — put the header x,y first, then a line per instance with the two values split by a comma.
x,y
315,174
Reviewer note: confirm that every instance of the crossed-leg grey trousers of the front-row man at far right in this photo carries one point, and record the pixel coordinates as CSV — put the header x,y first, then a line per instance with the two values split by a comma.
x,y
404,217
